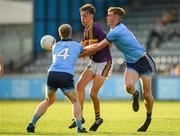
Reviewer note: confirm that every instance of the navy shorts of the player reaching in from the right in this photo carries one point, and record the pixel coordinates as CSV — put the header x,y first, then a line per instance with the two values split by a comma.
x,y
144,66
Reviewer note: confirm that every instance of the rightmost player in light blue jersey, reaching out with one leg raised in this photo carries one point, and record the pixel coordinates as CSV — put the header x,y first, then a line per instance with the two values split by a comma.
x,y
139,65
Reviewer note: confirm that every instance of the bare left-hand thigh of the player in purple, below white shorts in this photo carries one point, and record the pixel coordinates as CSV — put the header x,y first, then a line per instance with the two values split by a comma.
x,y
85,77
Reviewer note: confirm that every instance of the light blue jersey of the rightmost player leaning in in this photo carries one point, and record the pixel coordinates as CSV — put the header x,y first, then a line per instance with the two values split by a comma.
x,y
126,42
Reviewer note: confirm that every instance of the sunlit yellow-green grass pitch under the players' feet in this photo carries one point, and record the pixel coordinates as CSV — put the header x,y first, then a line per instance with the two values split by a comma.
x,y
119,119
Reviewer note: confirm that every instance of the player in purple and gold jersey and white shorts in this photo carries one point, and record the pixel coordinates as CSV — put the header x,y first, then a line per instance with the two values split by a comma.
x,y
99,67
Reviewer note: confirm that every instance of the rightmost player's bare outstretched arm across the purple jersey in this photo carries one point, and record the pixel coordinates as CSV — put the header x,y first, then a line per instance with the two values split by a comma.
x,y
97,46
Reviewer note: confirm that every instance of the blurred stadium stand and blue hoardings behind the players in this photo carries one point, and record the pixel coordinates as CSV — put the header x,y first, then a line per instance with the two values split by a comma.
x,y
155,23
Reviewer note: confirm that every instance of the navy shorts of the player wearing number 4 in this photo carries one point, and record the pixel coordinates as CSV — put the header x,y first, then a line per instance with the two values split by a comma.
x,y
61,80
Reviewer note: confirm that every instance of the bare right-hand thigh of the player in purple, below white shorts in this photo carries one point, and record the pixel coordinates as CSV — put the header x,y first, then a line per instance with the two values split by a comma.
x,y
97,83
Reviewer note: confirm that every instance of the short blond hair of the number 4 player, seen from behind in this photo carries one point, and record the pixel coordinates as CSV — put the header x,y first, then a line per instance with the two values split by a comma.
x,y
65,30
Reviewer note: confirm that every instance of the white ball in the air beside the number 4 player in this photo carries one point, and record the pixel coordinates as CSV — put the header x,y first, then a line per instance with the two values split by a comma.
x,y
47,42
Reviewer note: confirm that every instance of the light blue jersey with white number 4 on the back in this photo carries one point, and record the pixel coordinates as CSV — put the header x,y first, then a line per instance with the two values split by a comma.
x,y
64,56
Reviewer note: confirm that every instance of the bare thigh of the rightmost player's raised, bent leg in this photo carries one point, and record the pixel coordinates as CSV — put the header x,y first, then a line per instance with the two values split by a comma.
x,y
130,76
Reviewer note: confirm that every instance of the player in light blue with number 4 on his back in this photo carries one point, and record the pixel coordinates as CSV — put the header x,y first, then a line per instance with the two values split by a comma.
x,y
60,75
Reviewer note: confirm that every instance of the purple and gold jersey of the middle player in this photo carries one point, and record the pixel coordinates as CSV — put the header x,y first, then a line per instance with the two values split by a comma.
x,y
94,34
